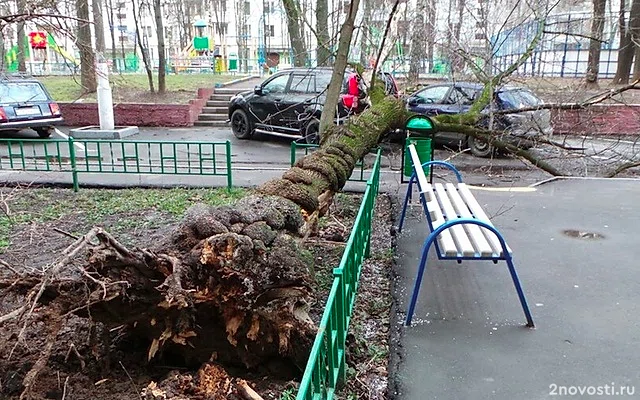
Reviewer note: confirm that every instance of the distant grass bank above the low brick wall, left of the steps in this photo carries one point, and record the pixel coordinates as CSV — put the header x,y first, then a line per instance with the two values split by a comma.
x,y
135,87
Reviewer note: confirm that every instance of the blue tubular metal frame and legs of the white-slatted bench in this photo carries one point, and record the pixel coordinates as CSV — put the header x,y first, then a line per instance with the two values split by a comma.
x,y
431,239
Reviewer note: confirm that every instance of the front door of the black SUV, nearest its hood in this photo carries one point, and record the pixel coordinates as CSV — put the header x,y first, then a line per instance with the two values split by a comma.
x,y
265,106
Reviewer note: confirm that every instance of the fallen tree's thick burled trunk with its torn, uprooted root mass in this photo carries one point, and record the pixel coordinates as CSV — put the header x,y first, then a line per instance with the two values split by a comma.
x,y
230,286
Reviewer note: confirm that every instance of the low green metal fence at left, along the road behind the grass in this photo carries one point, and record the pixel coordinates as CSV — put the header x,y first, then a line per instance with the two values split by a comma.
x,y
117,156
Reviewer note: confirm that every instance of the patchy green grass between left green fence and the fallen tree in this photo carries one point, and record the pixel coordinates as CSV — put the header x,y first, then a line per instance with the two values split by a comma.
x,y
118,211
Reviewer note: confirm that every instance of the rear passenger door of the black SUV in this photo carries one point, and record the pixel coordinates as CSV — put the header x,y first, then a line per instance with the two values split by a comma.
x,y
299,96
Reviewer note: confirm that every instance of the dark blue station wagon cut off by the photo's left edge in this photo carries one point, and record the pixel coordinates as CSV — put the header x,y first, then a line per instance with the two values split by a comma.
x,y
25,103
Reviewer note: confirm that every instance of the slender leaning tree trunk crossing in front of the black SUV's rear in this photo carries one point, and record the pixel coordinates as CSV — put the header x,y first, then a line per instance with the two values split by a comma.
x,y
335,85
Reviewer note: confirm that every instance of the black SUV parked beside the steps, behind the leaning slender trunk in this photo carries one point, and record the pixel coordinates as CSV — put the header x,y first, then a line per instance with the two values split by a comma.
x,y
290,102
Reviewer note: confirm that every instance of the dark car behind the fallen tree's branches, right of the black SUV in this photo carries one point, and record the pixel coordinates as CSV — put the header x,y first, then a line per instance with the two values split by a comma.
x,y
454,98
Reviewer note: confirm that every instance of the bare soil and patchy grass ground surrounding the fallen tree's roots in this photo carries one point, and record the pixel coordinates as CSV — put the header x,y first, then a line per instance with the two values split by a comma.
x,y
92,362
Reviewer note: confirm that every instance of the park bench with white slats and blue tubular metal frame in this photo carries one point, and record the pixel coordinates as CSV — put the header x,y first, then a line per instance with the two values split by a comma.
x,y
459,227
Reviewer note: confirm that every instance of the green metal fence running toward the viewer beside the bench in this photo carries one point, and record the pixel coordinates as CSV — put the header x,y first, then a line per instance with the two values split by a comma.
x,y
326,366
